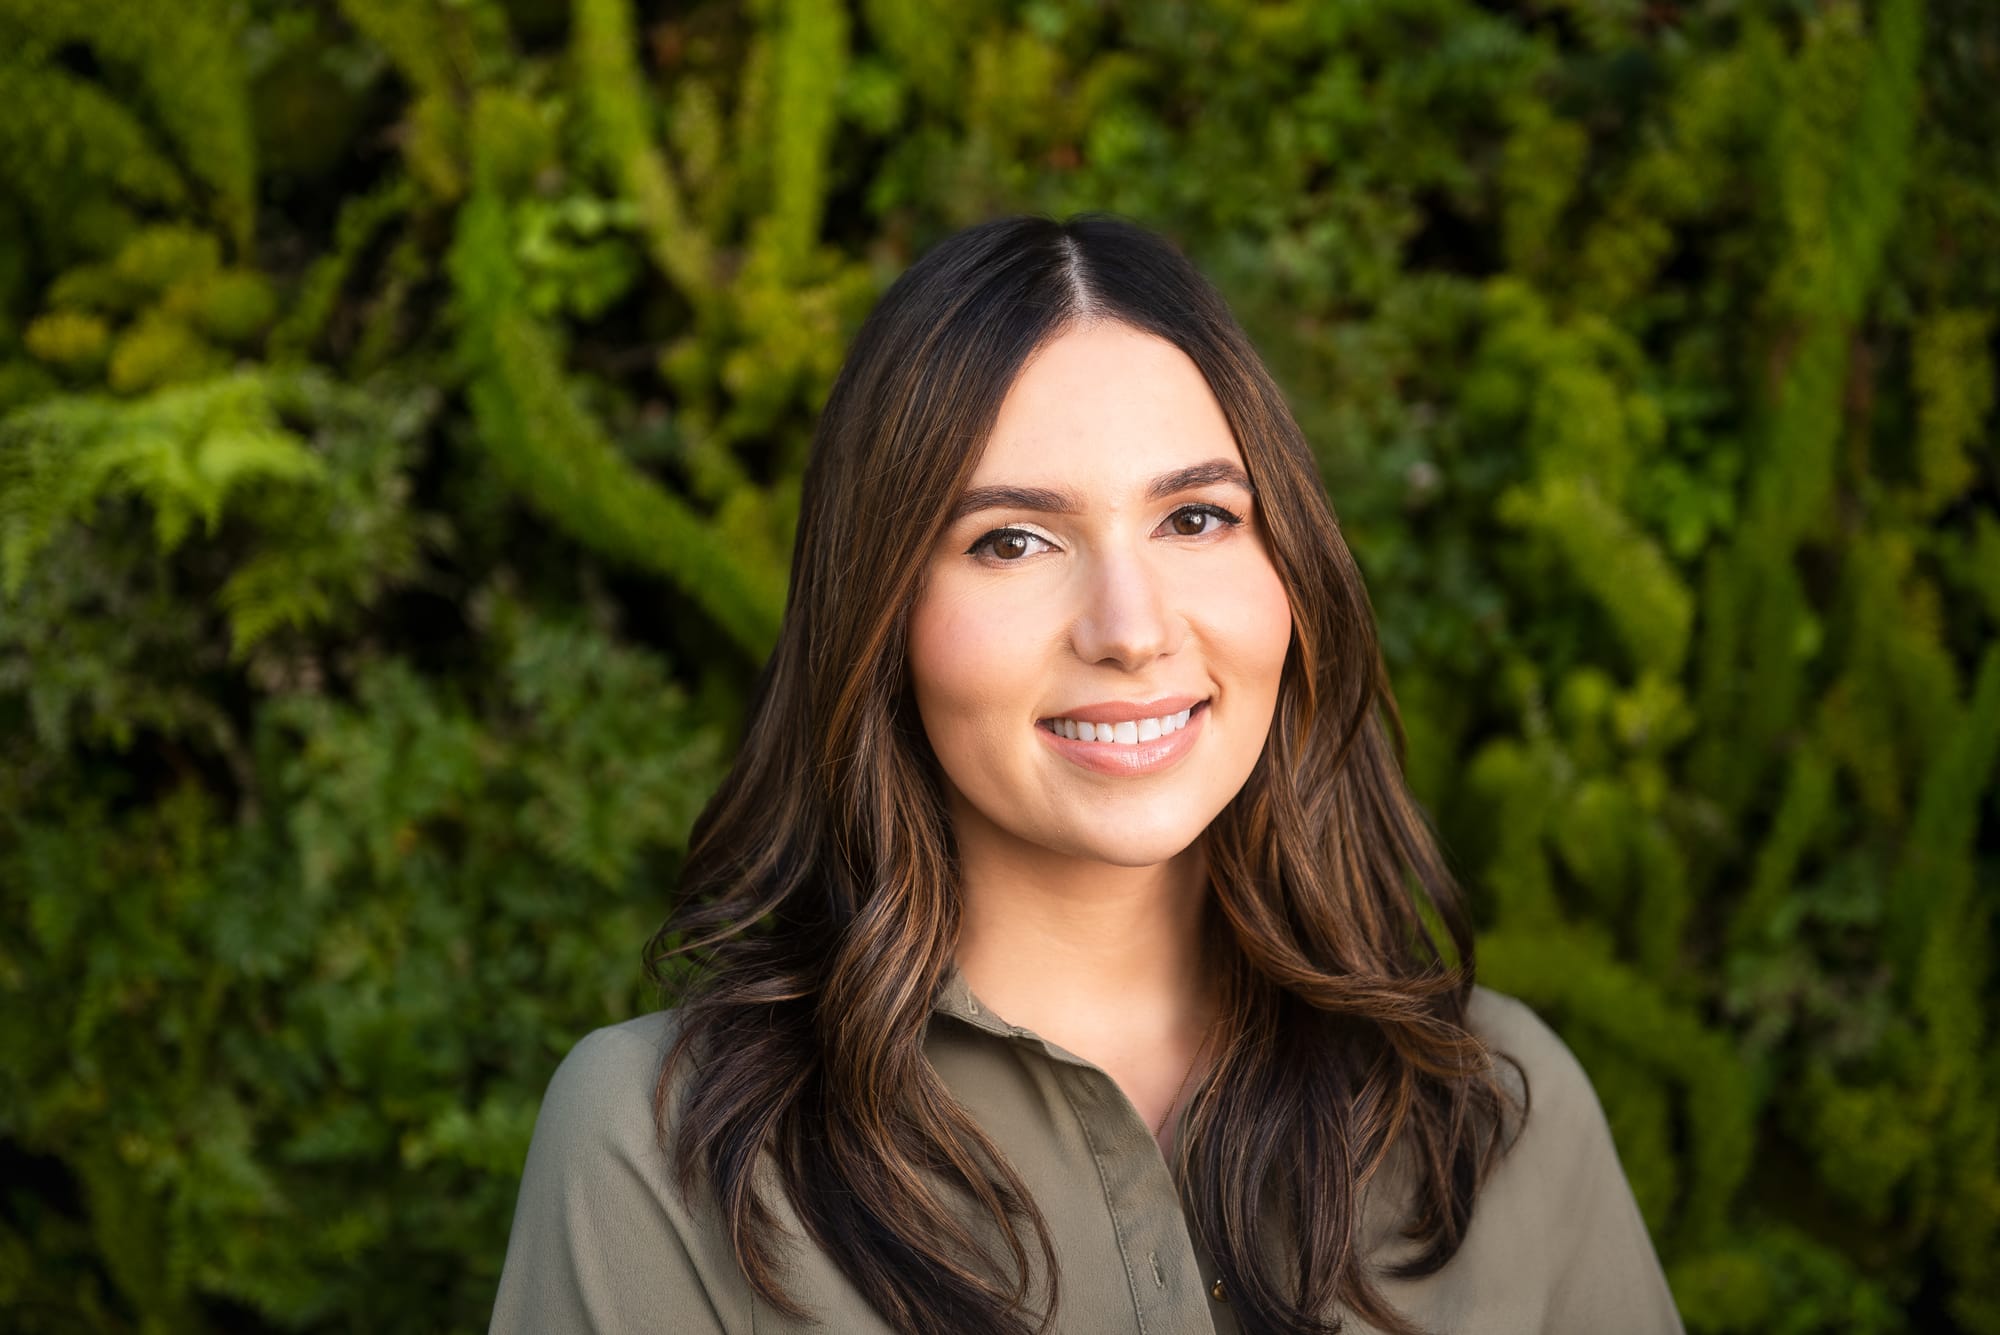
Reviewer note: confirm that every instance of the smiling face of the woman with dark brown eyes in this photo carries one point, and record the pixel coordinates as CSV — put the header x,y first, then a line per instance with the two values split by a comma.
x,y
1105,575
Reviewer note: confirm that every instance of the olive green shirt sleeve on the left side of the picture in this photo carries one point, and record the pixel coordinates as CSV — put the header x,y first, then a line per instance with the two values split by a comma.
x,y
599,1242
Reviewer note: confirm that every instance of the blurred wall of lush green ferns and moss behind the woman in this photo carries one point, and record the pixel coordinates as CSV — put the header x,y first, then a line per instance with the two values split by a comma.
x,y
401,421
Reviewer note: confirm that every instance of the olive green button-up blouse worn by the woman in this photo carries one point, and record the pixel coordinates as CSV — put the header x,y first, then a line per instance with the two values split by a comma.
x,y
603,1240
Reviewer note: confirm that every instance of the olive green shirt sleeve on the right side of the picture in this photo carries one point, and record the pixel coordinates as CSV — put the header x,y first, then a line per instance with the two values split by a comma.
x,y
1603,1270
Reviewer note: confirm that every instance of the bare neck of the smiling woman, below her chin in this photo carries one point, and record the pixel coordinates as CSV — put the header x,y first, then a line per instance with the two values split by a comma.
x,y
1071,948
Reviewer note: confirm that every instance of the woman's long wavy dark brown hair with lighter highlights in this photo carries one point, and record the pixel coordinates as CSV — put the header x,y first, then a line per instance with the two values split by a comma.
x,y
821,894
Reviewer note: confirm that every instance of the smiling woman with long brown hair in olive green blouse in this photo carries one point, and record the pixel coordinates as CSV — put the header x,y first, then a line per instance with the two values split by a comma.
x,y
1069,954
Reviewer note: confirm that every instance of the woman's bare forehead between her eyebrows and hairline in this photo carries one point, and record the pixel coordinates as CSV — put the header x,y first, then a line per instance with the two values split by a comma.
x,y
1105,407
